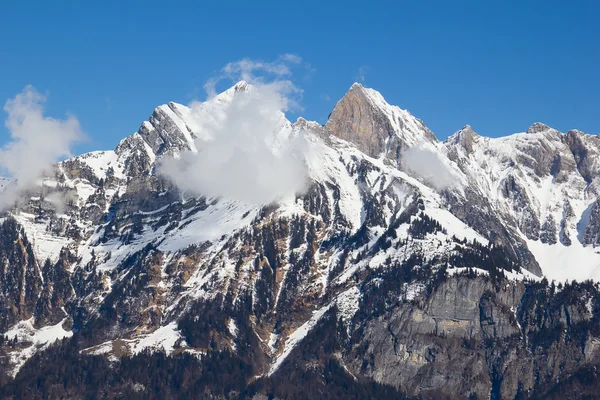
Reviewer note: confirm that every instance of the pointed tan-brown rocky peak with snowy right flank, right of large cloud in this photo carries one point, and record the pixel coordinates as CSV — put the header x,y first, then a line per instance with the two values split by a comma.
x,y
364,118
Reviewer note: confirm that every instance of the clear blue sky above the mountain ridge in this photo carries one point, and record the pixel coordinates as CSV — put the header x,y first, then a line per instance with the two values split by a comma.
x,y
497,65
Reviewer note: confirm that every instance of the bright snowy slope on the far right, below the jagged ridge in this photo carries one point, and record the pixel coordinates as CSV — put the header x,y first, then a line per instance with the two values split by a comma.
x,y
533,181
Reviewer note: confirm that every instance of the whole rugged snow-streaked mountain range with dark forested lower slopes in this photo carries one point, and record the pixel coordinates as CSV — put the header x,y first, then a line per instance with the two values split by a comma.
x,y
408,267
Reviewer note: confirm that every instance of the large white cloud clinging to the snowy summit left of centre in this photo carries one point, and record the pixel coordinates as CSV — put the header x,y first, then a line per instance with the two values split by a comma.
x,y
247,150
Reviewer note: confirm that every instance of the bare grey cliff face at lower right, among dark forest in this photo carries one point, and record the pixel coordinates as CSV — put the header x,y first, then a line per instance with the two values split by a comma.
x,y
474,339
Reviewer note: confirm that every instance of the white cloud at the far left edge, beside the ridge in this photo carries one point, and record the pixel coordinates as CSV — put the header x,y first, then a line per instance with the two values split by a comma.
x,y
37,142
